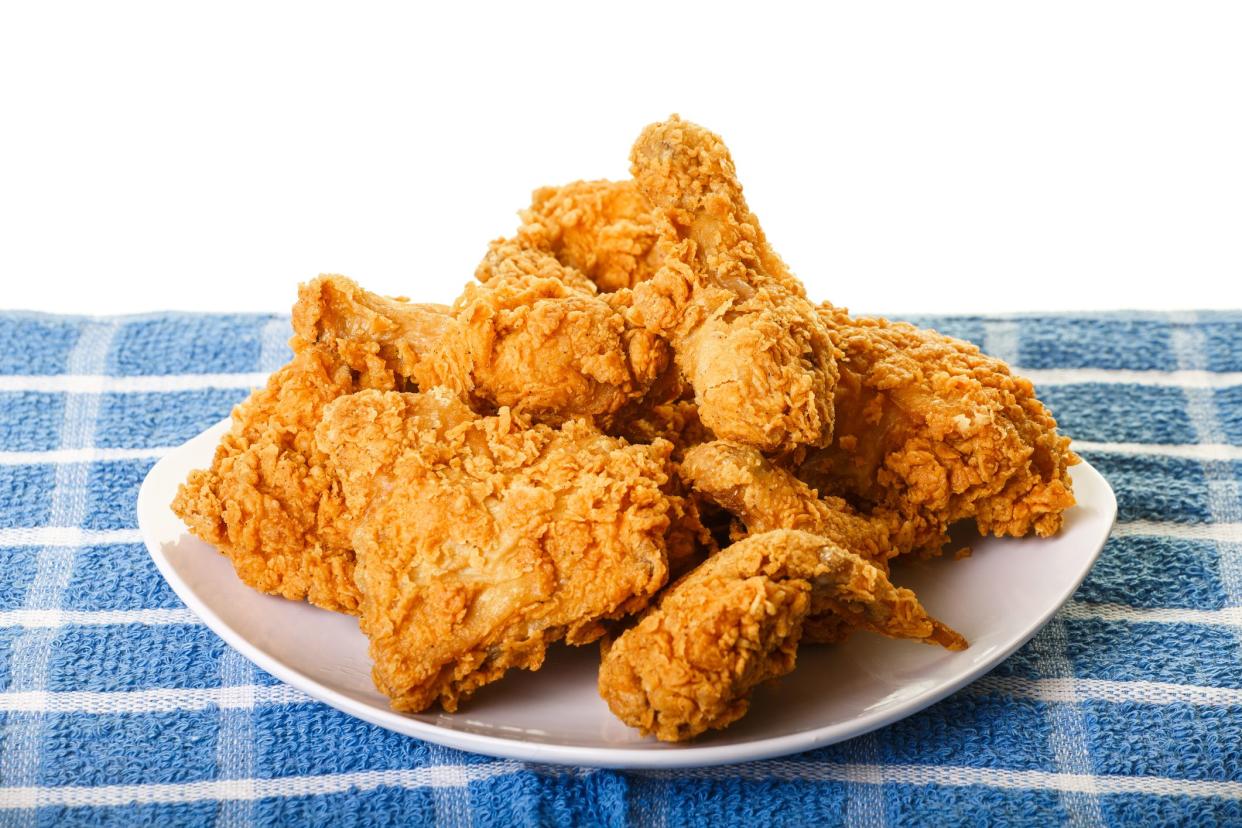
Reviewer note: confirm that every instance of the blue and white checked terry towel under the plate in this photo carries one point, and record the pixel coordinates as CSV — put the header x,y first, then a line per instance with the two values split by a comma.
x,y
120,708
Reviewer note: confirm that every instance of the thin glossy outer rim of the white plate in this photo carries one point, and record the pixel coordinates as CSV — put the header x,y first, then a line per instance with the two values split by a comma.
x,y
681,757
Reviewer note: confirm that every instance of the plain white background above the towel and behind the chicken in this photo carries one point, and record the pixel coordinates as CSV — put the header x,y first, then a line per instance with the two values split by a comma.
x,y
904,158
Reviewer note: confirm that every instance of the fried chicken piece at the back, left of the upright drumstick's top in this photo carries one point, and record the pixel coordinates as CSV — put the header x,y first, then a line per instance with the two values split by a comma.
x,y
604,230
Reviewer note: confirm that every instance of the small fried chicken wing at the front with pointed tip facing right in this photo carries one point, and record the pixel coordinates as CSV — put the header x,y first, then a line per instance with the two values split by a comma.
x,y
691,662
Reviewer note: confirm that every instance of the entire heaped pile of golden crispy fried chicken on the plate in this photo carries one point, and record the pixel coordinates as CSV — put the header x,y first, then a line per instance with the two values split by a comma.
x,y
635,389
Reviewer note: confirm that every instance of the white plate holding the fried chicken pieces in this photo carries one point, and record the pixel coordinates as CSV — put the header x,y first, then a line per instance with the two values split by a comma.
x,y
998,599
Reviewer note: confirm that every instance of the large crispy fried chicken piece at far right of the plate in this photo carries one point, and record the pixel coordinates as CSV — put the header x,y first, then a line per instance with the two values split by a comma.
x,y
932,429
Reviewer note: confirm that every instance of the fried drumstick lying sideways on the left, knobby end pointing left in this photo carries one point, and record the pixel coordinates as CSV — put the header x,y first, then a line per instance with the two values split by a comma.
x,y
535,338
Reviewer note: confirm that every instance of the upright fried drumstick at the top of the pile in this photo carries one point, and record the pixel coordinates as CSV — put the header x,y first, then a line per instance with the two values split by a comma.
x,y
743,332
